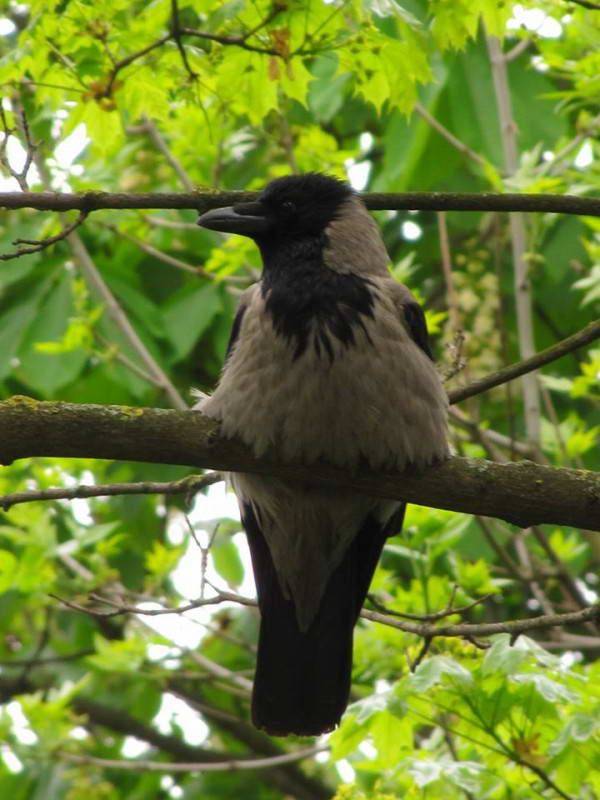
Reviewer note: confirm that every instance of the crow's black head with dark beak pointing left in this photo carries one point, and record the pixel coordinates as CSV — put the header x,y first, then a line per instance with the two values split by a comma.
x,y
293,207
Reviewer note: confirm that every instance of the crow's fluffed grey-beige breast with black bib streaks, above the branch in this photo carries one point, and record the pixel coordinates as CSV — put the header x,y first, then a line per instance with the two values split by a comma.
x,y
345,383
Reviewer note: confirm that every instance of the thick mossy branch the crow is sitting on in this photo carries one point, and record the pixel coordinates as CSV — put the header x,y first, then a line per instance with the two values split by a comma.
x,y
523,493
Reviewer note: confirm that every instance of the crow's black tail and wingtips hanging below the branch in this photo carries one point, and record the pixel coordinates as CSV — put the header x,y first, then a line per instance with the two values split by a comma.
x,y
302,680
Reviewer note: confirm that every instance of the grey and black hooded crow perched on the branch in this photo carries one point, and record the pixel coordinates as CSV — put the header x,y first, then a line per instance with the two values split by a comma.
x,y
328,360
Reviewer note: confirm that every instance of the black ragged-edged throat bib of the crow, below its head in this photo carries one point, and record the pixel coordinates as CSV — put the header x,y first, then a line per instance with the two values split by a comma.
x,y
302,294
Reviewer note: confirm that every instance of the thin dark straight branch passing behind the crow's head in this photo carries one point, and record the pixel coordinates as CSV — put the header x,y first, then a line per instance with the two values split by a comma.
x,y
376,201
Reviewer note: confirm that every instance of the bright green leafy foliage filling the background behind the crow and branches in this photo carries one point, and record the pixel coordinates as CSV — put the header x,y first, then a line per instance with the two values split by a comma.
x,y
247,91
